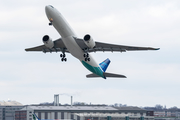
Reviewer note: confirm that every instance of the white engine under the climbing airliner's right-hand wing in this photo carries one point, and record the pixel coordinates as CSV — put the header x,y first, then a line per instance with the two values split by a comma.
x,y
89,41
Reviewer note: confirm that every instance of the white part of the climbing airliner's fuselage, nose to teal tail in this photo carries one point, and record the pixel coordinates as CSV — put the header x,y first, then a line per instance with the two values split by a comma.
x,y
68,36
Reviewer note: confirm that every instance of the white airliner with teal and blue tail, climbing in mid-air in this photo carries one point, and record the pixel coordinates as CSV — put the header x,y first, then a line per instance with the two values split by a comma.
x,y
78,47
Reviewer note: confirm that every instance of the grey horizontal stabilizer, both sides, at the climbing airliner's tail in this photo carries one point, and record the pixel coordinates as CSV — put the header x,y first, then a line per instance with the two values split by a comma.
x,y
106,75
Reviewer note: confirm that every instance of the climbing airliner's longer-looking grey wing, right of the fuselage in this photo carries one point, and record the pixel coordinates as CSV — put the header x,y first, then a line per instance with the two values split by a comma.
x,y
111,47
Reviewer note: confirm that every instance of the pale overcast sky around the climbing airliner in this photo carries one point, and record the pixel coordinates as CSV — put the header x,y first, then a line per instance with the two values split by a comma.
x,y
153,77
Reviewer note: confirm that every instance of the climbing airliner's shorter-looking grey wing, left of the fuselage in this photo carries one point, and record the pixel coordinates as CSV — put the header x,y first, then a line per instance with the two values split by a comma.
x,y
58,46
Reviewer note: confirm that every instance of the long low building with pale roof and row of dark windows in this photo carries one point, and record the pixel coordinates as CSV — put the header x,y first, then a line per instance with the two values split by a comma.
x,y
82,113
